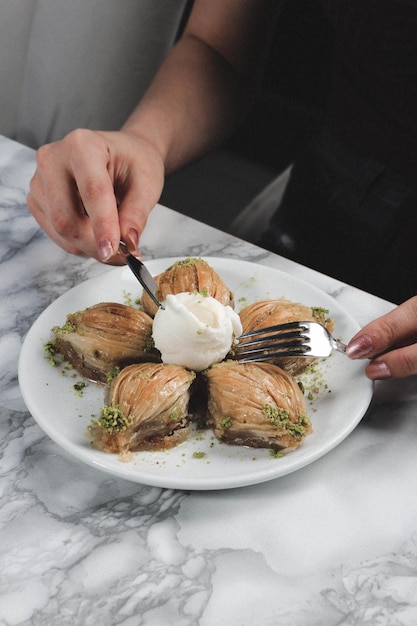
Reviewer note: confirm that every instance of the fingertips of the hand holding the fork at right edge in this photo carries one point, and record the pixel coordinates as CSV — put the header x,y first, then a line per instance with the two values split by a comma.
x,y
390,342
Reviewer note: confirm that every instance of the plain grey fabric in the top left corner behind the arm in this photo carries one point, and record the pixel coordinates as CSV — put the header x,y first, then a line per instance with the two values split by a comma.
x,y
78,63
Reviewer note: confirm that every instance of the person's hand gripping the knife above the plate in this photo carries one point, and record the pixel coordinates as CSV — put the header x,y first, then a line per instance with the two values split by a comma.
x,y
93,188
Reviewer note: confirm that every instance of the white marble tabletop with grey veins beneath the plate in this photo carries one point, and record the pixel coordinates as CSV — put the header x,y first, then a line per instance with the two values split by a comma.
x,y
334,543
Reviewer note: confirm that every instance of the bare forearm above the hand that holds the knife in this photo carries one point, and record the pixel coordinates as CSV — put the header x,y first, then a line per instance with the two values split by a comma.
x,y
195,101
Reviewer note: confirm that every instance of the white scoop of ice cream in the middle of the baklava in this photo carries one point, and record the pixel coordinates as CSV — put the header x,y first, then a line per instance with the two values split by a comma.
x,y
194,330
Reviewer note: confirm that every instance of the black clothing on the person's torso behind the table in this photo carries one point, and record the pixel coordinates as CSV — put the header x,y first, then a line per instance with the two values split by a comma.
x,y
350,208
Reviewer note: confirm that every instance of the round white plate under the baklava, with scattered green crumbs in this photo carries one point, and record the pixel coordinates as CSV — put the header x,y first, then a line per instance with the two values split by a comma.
x,y
64,416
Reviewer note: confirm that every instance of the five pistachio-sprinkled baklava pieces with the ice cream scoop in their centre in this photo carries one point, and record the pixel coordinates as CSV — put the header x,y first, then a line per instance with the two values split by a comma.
x,y
155,362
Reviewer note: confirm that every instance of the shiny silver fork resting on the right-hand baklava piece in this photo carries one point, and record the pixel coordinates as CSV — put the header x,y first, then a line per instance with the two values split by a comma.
x,y
309,339
